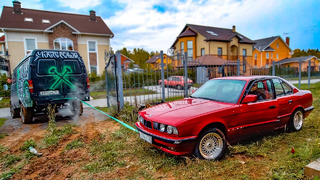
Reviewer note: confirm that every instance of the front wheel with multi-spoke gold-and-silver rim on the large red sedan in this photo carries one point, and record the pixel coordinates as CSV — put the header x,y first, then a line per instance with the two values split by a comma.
x,y
211,145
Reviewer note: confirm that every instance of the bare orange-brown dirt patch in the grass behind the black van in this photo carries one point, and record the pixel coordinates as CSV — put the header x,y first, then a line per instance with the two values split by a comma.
x,y
57,162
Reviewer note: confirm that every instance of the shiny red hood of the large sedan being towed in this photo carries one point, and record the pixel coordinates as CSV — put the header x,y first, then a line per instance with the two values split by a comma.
x,y
175,112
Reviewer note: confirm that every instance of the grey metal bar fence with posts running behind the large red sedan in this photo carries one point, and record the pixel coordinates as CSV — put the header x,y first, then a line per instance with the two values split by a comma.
x,y
174,77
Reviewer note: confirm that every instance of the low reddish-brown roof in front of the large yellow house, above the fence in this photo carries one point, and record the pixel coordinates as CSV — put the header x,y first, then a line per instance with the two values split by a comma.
x,y
209,60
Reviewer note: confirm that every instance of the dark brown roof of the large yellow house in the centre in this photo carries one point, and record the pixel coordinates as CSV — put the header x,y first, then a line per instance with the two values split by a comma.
x,y
215,34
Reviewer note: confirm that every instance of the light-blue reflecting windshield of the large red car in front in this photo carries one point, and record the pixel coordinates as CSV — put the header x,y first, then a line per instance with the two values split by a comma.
x,y
221,90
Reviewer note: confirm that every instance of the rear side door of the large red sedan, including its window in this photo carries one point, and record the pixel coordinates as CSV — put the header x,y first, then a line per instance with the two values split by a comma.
x,y
284,95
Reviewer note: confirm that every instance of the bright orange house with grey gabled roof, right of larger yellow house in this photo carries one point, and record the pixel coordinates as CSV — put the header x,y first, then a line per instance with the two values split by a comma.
x,y
270,49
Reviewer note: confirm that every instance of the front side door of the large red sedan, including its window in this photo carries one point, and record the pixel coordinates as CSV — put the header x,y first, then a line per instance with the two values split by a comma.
x,y
260,116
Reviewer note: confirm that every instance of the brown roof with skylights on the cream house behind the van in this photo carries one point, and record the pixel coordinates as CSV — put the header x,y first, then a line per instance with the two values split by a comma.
x,y
80,23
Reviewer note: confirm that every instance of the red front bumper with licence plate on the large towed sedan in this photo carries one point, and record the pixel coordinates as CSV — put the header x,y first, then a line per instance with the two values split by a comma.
x,y
173,145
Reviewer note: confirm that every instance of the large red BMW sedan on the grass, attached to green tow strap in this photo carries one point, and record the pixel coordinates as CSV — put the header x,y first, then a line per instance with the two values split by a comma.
x,y
224,110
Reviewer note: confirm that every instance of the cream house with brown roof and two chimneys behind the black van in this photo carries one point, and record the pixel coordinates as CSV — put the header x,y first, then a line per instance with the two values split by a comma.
x,y
28,29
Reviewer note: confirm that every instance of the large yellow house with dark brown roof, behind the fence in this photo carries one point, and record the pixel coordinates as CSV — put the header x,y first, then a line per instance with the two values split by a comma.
x,y
223,43
